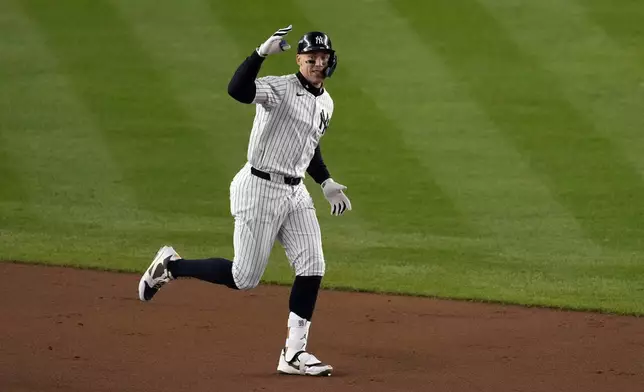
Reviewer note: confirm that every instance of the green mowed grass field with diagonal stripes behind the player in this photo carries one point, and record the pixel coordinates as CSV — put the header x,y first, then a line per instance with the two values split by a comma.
x,y
493,149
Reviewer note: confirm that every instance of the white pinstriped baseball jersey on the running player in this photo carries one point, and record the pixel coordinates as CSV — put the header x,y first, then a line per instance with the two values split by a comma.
x,y
288,125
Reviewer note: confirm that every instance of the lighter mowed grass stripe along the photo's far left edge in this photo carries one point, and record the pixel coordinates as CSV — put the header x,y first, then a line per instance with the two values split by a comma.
x,y
57,151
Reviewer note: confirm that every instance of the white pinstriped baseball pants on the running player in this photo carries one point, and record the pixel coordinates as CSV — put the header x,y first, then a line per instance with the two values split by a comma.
x,y
268,210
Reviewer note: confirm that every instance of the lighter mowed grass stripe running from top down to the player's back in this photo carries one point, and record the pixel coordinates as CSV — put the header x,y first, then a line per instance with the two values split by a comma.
x,y
197,58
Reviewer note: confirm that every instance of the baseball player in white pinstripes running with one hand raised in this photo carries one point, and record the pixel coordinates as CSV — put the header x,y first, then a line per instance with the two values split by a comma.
x,y
268,198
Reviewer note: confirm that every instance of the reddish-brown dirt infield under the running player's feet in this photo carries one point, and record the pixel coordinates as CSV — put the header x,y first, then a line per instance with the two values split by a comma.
x,y
72,330
